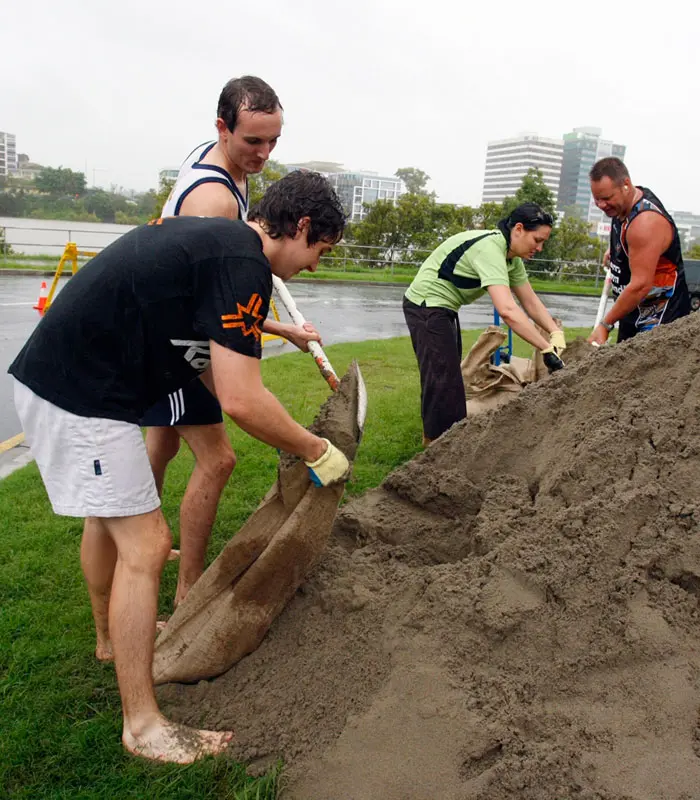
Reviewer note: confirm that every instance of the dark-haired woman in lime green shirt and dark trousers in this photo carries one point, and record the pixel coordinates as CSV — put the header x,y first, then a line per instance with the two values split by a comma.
x,y
460,270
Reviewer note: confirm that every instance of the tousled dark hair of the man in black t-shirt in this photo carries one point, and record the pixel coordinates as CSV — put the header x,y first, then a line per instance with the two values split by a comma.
x,y
301,194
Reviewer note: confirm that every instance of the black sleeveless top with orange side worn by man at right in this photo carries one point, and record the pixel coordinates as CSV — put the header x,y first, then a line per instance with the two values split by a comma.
x,y
668,298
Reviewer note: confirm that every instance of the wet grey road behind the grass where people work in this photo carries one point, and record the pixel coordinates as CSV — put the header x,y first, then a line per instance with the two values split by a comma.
x,y
343,313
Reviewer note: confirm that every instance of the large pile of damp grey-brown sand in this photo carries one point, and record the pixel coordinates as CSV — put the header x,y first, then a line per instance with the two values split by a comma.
x,y
514,614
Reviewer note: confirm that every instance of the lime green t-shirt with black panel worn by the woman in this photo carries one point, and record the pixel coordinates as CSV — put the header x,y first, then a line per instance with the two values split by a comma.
x,y
458,271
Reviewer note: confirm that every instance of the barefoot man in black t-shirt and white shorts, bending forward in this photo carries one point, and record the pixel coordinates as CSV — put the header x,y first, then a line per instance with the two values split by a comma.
x,y
178,298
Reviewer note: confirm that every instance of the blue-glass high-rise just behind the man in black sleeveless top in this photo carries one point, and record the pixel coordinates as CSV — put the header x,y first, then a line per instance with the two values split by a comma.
x,y
582,148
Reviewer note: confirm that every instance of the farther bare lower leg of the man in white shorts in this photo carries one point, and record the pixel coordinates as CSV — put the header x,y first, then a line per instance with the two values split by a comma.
x,y
98,557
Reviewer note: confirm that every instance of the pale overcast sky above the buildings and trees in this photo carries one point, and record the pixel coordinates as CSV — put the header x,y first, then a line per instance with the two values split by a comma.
x,y
126,88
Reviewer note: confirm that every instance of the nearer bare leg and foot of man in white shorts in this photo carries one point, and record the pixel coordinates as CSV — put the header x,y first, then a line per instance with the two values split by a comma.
x,y
143,543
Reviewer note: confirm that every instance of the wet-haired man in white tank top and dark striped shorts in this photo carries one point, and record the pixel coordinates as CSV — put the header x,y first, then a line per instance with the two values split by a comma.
x,y
213,182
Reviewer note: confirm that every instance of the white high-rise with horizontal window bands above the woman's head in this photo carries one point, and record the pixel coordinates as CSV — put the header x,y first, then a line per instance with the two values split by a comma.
x,y
508,160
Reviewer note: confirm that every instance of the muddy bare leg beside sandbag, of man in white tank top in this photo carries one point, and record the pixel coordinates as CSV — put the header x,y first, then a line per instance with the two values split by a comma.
x,y
214,463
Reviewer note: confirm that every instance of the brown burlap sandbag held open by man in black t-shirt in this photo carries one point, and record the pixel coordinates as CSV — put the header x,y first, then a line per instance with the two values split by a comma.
x,y
229,610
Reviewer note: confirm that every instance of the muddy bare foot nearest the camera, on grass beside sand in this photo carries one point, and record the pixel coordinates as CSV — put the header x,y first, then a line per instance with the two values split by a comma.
x,y
163,740
